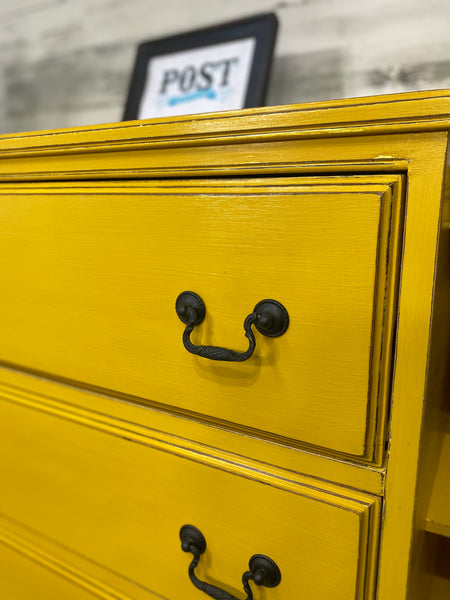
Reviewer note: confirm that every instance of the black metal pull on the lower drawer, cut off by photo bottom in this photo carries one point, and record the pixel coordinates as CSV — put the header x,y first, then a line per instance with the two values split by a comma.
x,y
262,570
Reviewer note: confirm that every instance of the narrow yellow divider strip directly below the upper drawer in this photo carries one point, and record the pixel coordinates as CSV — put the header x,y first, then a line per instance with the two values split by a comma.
x,y
279,458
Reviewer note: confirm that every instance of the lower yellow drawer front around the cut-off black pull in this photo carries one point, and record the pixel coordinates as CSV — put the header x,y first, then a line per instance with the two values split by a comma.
x,y
118,493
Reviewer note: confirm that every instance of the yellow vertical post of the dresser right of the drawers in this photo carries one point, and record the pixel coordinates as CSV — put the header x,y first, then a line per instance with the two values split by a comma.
x,y
422,227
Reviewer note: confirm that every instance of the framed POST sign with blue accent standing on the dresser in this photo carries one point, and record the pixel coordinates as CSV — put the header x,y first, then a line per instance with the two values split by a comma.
x,y
220,68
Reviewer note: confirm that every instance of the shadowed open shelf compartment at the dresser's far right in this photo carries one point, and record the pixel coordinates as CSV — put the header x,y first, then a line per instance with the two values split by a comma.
x,y
430,567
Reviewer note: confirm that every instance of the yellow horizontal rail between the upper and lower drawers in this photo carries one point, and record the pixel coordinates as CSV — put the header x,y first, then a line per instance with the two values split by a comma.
x,y
159,428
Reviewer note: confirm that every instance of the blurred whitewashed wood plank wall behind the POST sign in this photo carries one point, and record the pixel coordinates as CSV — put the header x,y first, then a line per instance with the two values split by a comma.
x,y
68,62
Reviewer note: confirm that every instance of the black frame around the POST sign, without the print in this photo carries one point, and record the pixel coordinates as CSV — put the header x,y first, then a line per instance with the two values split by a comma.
x,y
262,28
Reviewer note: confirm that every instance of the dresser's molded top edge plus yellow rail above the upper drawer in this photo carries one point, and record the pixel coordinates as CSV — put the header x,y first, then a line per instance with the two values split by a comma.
x,y
199,144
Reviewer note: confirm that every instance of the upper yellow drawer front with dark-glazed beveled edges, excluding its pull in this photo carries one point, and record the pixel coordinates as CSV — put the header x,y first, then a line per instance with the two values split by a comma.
x,y
336,420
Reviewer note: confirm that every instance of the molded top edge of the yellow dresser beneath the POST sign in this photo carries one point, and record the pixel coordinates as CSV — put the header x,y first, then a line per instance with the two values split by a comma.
x,y
391,113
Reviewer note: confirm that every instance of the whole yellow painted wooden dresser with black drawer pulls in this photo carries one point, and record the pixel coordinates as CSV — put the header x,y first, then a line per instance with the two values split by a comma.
x,y
224,354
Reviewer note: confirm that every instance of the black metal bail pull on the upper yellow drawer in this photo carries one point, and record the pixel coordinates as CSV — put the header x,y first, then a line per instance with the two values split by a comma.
x,y
269,317
